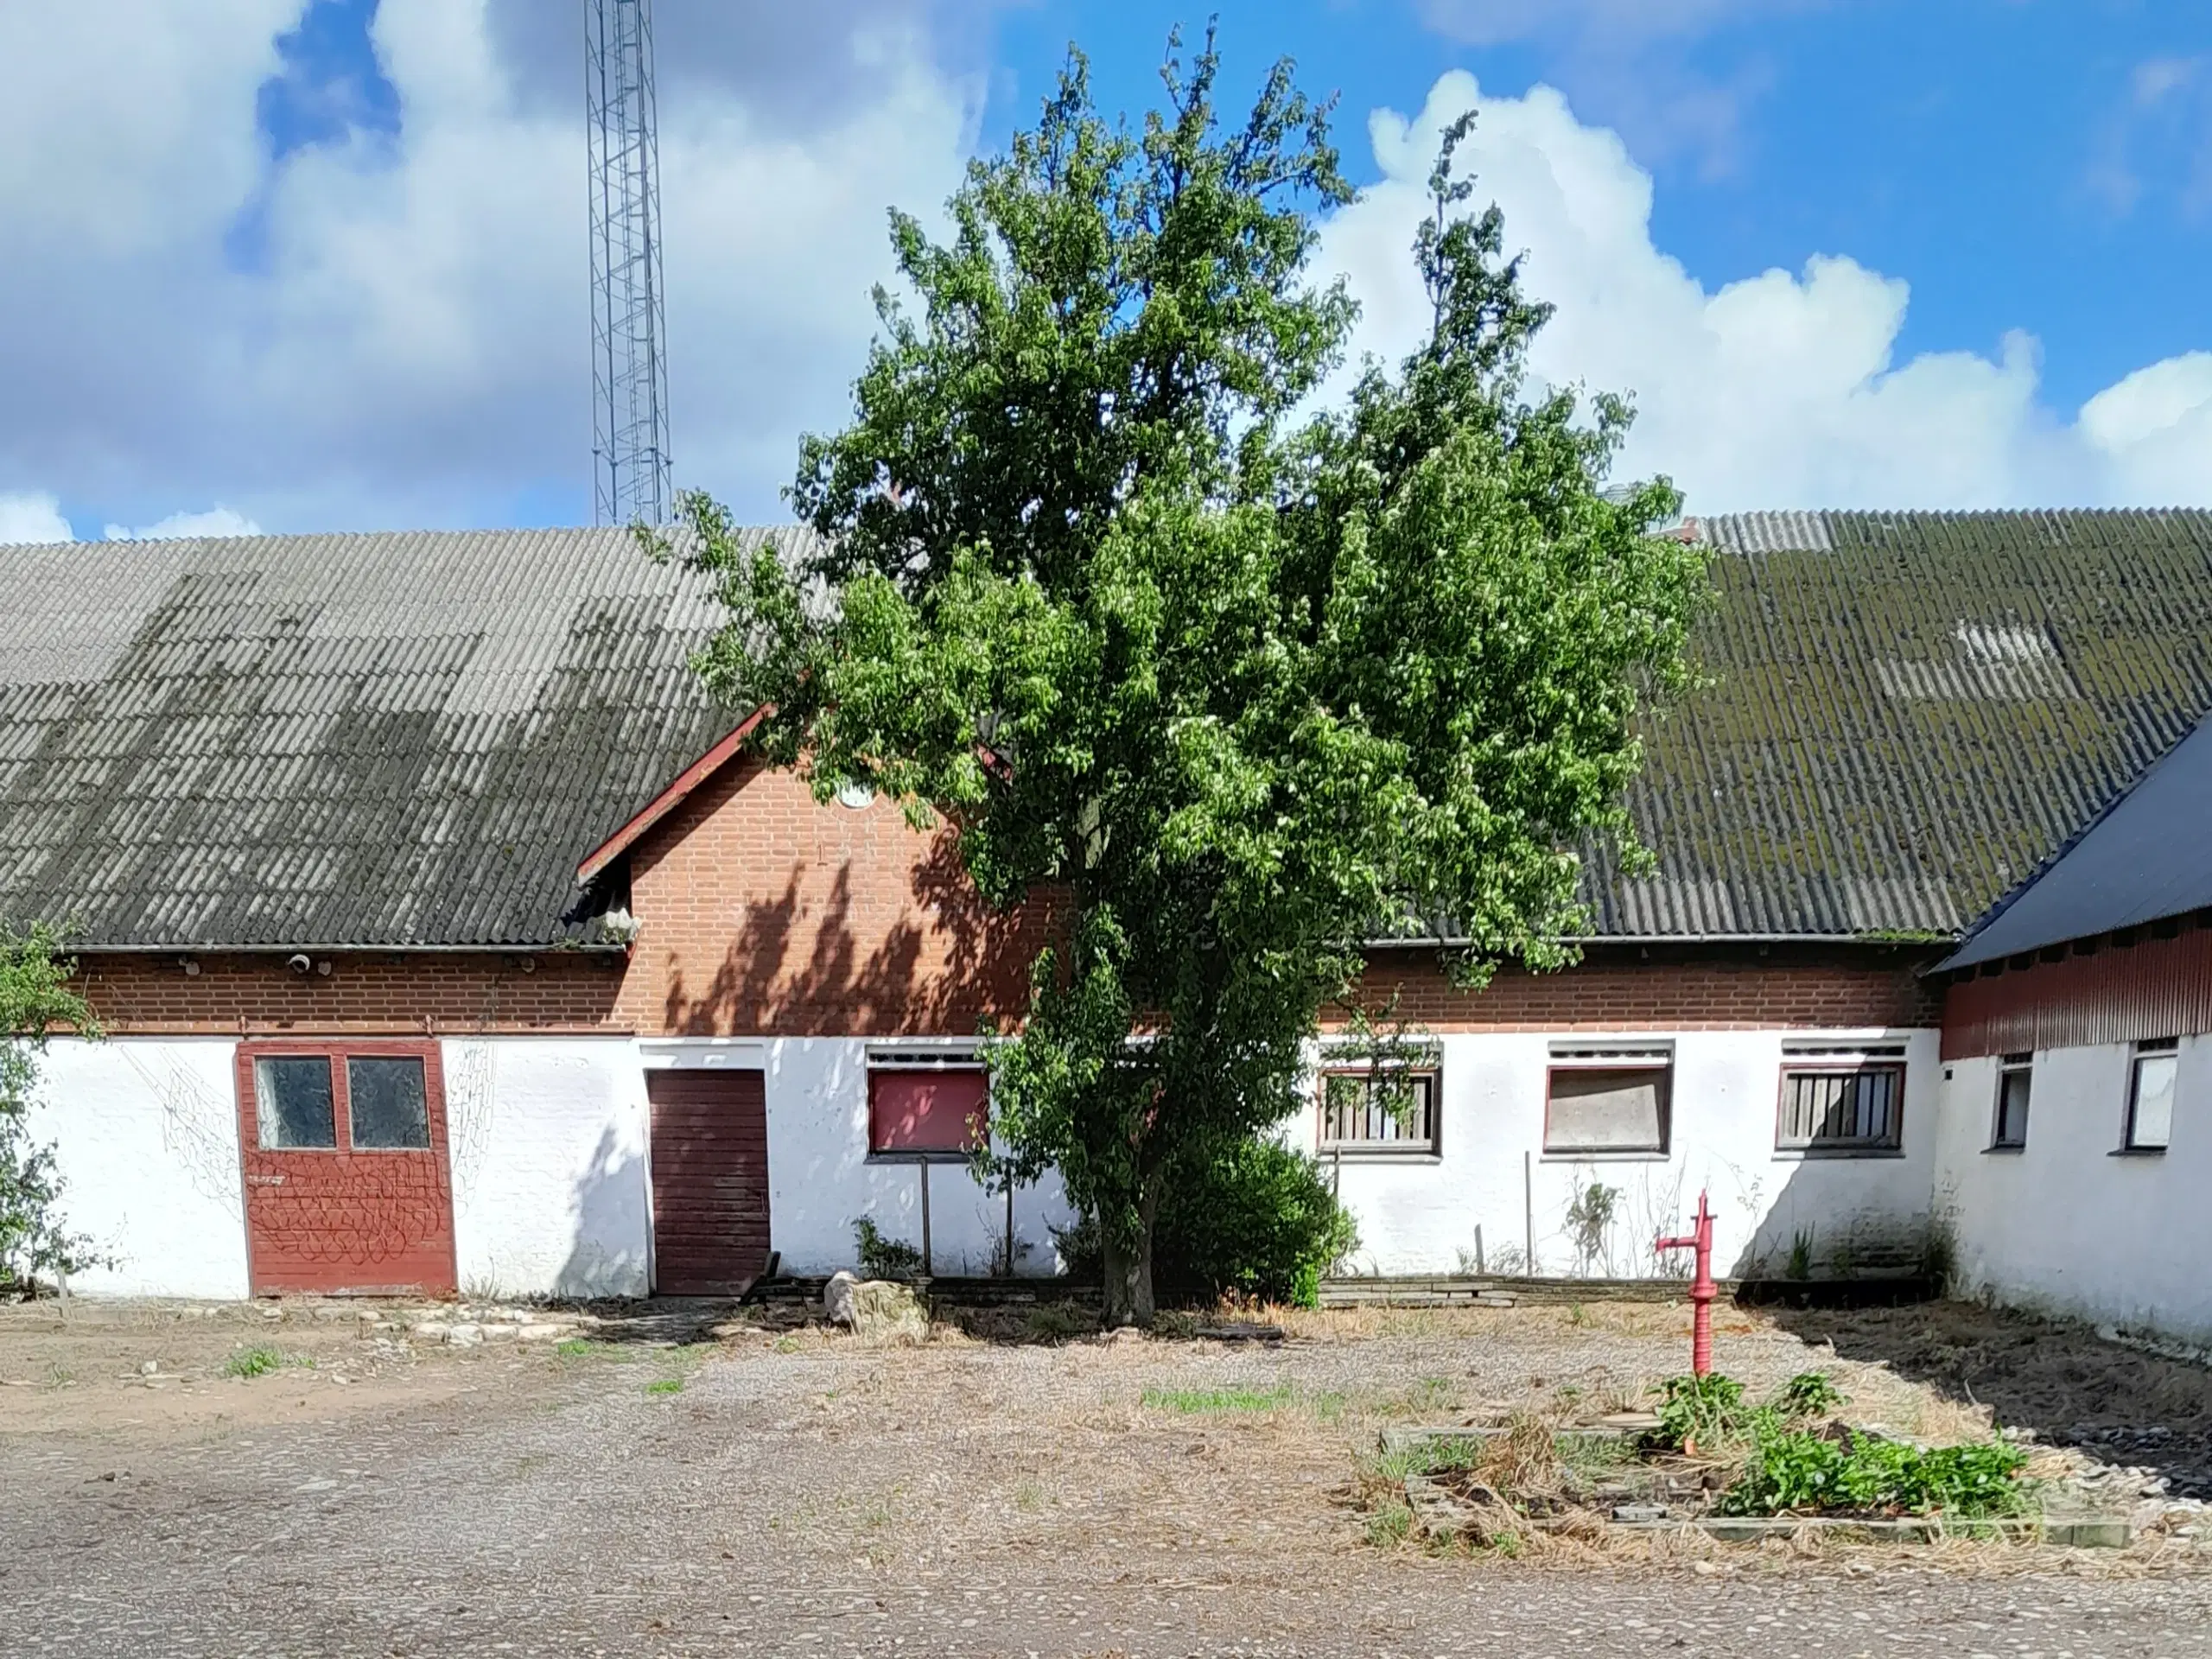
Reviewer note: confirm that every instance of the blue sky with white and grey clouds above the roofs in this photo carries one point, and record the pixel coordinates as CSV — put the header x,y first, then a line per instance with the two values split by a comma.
x,y
320,262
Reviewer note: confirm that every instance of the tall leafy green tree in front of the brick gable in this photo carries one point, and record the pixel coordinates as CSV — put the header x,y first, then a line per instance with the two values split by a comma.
x,y
1246,682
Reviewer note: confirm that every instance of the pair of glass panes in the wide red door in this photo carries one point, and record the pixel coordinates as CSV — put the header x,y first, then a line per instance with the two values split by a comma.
x,y
335,1098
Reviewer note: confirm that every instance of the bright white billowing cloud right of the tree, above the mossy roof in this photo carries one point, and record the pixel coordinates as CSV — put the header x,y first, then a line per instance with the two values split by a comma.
x,y
1780,390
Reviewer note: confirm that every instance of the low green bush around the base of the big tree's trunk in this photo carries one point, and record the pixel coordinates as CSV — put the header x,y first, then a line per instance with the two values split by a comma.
x,y
1258,1220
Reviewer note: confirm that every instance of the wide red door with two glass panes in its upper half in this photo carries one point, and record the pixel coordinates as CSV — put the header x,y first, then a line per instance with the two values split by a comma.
x,y
348,1187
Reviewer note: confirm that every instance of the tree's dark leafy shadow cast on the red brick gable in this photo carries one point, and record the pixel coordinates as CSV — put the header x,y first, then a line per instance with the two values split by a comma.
x,y
800,968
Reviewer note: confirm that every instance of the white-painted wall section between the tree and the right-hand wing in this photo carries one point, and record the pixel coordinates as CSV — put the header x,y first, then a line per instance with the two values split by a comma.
x,y
1419,1215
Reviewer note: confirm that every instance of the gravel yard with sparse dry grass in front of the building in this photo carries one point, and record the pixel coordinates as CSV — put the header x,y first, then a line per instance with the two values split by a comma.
x,y
760,1490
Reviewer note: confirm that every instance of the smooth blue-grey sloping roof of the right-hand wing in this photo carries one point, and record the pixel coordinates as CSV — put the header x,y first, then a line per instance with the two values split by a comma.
x,y
2142,862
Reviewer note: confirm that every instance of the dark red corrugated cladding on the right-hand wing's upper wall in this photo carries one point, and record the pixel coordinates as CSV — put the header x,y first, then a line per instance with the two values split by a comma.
x,y
2158,988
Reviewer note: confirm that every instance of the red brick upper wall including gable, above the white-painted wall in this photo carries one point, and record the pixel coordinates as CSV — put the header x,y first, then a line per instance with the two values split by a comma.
x,y
766,915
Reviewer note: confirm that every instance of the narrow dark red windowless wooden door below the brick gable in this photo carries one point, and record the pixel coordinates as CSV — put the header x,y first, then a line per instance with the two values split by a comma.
x,y
709,1182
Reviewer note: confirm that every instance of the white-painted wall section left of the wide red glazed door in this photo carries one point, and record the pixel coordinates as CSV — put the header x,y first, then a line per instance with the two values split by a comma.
x,y
147,1145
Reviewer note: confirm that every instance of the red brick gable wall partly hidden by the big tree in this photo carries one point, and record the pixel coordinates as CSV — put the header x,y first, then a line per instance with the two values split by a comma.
x,y
764,912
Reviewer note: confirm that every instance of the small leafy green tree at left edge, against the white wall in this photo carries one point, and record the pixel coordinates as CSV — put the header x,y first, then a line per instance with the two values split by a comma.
x,y
34,999
